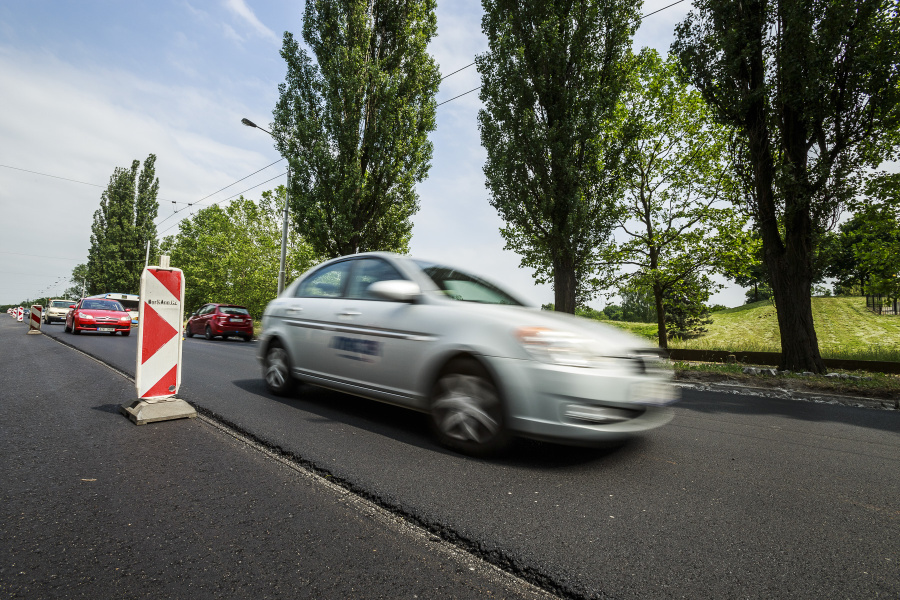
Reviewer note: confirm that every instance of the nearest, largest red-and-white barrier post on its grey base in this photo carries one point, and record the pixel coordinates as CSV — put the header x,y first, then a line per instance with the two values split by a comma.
x,y
158,370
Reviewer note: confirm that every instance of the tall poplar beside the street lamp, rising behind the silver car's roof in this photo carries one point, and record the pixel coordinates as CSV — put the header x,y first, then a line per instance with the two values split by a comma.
x,y
354,125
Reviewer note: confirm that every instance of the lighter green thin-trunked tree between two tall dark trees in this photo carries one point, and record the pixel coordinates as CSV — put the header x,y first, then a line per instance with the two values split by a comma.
x,y
677,226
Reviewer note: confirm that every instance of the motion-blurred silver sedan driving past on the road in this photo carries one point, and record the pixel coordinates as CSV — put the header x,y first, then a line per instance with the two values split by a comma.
x,y
448,343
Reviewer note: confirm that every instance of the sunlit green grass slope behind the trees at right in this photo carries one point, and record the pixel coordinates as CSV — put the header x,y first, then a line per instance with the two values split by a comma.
x,y
844,327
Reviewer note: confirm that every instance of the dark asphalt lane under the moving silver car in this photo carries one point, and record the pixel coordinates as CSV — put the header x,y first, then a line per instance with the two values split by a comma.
x,y
738,497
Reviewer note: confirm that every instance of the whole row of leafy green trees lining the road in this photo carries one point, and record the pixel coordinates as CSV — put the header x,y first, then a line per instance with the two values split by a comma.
x,y
736,154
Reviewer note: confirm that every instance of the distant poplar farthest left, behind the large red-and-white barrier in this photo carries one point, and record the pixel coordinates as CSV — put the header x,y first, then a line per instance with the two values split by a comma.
x,y
122,228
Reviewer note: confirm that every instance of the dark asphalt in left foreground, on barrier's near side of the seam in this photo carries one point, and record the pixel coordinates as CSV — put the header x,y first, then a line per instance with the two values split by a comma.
x,y
96,507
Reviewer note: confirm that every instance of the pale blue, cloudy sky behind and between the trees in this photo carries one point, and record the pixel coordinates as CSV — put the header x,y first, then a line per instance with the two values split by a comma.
x,y
89,86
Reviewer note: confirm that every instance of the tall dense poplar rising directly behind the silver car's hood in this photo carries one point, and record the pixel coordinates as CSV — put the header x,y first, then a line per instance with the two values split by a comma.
x,y
551,83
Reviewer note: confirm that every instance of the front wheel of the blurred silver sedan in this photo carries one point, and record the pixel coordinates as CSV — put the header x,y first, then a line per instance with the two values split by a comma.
x,y
467,411
